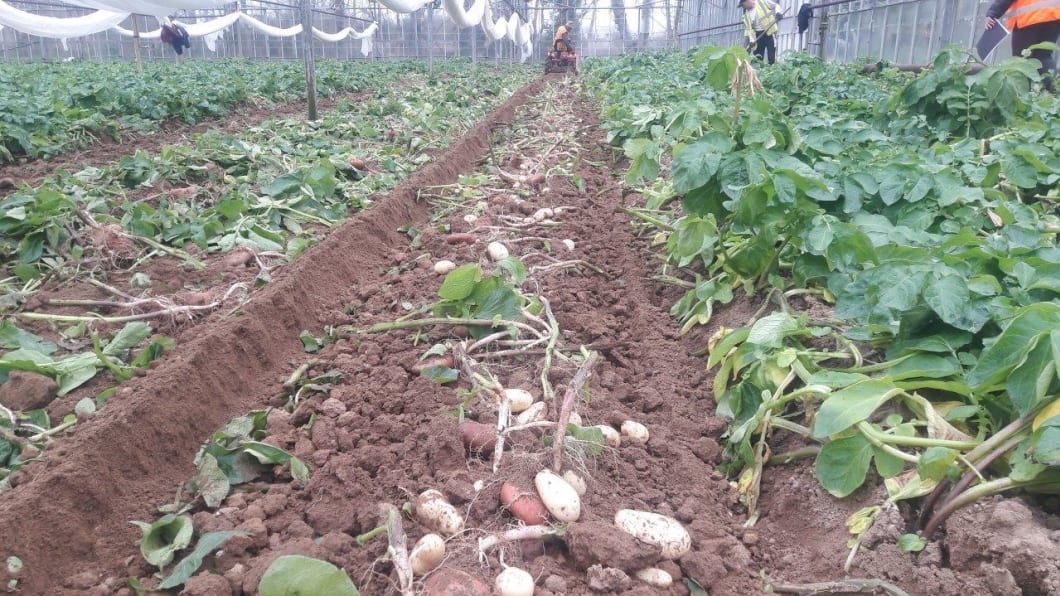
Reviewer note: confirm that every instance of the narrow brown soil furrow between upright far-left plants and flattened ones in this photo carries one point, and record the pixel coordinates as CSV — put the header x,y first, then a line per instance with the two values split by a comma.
x,y
109,150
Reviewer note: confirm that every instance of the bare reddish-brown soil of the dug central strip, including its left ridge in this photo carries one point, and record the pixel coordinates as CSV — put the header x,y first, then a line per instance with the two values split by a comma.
x,y
384,434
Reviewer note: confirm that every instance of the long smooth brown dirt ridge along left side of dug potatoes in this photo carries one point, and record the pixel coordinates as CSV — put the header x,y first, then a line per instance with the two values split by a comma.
x,y
121,465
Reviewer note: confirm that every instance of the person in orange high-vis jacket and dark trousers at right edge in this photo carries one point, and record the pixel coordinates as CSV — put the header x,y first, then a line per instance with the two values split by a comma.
x,y
1031,22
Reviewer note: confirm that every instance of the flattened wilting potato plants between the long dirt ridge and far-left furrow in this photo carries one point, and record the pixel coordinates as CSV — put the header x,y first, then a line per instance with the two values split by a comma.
x,y
261,197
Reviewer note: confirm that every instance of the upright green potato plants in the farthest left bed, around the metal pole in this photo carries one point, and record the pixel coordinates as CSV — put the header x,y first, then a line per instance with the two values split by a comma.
x,y
47,110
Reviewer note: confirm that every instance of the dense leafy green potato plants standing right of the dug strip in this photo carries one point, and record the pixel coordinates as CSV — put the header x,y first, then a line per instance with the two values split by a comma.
x,y
902,234
